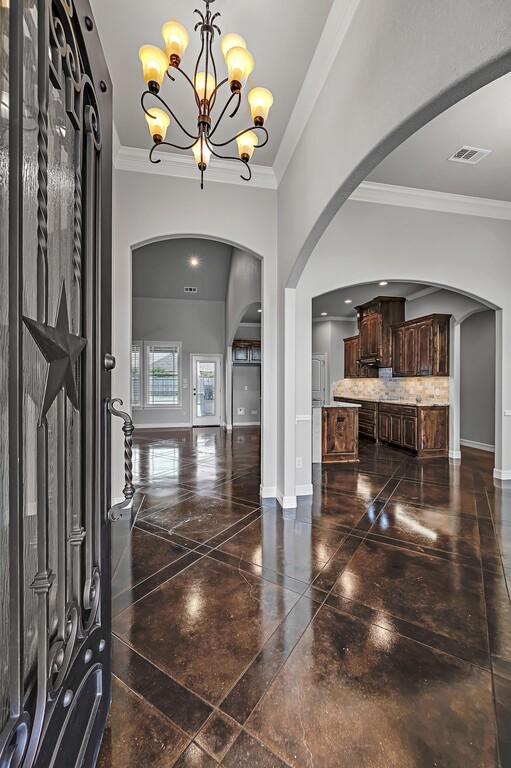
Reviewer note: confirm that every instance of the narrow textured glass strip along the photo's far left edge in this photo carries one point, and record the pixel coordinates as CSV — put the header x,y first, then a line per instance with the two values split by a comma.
x,y
4,362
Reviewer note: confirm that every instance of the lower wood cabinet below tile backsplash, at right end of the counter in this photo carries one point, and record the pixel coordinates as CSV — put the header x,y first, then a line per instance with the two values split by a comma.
x,y
423,429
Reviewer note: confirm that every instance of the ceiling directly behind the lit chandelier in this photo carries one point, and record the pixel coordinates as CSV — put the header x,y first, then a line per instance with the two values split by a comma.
x,y
281,36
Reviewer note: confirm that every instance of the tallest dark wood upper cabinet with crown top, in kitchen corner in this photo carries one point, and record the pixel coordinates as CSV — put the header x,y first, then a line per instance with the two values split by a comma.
x,y
375,320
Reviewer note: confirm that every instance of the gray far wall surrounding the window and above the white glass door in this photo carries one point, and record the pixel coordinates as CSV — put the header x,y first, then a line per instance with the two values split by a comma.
x,y
198,325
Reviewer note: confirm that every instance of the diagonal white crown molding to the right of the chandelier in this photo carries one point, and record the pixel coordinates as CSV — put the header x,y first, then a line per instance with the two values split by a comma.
x,y
332,37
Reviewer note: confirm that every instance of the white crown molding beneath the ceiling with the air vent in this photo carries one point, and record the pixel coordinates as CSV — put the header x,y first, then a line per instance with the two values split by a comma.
x,y
445,202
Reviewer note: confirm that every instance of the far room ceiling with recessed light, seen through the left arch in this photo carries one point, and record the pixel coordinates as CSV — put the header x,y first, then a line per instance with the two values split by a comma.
x,y
163,269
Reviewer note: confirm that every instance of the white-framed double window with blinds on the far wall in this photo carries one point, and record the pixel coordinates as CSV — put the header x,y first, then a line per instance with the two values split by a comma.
x,y
155,374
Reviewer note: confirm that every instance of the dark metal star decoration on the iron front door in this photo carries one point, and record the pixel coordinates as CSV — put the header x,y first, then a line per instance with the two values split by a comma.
x,y
61,350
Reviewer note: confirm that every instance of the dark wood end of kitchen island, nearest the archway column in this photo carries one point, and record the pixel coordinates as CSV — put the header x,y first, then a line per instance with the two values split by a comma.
x,y
339,435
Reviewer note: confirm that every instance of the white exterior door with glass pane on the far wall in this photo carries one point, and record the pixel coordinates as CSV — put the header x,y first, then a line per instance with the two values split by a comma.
x,y
206,390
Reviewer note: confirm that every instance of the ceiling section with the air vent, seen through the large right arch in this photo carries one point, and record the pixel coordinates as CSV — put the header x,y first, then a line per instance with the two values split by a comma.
x,y
481,120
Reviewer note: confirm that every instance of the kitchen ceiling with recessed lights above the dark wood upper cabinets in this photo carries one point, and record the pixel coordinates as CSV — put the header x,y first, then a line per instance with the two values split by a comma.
x,y
334,305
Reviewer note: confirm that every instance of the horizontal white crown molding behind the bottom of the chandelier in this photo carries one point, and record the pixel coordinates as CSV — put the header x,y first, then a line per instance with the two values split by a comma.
x,y
183,167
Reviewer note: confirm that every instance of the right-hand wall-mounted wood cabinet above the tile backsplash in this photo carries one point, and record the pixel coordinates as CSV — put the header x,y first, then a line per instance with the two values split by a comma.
x,y
420,347
